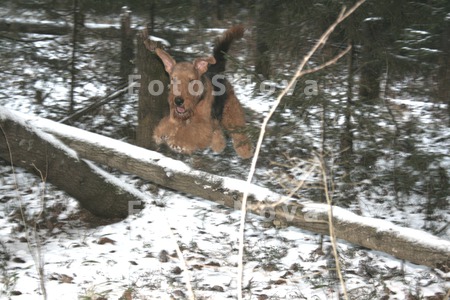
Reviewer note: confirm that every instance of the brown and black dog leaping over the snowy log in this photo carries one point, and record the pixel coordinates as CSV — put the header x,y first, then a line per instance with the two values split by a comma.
x,y
203,104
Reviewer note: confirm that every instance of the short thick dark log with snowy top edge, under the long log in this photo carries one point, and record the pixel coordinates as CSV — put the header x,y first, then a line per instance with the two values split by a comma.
x,y
26,146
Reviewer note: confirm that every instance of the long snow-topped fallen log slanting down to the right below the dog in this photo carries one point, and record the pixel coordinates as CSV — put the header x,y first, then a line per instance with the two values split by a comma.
x,y
413,245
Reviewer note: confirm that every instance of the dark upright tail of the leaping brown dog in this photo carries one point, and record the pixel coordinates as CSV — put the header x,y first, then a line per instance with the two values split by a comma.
x,y
222,45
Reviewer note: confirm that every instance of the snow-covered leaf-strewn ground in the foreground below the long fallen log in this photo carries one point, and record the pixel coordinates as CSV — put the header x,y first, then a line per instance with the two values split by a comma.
x,y
83,259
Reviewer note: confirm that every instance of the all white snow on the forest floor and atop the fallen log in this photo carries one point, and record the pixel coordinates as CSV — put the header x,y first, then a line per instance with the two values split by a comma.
x,y
281,263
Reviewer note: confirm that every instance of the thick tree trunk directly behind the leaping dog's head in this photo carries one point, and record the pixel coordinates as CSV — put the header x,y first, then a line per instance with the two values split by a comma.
x,y
153,105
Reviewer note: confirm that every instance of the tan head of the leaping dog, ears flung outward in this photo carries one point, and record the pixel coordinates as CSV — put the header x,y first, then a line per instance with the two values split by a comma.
x,y
186,85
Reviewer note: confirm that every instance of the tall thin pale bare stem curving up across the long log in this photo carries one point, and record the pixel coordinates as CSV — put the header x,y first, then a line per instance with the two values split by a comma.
x,y
323,39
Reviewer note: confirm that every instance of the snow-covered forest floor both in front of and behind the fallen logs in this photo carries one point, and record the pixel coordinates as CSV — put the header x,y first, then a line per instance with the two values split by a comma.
x,y
77,256
